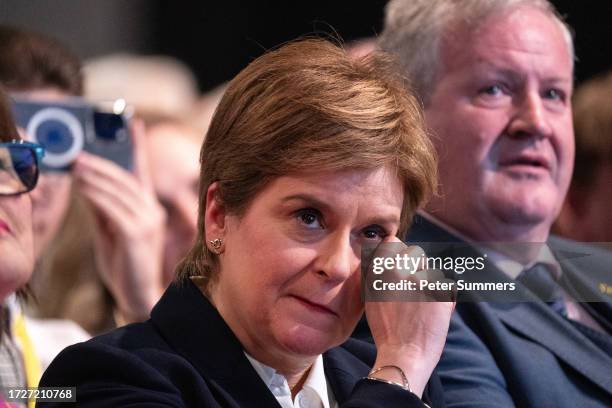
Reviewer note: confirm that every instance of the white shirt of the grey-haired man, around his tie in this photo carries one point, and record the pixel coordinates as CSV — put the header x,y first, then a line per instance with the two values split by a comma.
x,y
513,269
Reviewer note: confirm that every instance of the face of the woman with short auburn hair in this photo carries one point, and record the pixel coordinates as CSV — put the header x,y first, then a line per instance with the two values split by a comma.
x,y
289,275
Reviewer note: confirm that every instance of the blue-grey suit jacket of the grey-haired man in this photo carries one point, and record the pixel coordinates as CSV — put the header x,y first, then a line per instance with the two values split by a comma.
x,y
503,354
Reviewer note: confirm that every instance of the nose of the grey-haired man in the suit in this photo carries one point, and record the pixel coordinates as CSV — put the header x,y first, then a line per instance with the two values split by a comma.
x,y
530,117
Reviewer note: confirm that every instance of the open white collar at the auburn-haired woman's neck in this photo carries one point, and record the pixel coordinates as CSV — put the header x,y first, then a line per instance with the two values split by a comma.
x,y
314,382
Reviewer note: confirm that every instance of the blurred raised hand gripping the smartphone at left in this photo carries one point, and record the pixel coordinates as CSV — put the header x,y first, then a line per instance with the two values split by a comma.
x,y
129,234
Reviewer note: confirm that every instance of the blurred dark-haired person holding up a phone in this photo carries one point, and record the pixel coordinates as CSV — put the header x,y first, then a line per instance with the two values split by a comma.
x,y
83,219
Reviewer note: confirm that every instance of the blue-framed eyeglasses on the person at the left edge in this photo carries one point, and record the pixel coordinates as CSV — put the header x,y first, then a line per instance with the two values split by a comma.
x,y
19,166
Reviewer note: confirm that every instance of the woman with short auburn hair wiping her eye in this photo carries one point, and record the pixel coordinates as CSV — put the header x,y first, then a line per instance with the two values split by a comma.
x,y
311,156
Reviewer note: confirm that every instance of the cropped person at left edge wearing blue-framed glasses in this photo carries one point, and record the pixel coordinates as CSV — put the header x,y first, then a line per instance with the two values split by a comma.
x,y
18,176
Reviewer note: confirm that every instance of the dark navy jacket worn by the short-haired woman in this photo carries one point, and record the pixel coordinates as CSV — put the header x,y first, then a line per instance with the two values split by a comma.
x,y
187,356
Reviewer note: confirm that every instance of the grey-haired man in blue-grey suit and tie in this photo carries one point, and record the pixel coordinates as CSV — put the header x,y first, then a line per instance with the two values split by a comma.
x,y
496,81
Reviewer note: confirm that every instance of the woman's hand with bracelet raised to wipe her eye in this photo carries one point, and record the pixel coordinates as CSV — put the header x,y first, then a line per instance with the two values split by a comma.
x,y
410,333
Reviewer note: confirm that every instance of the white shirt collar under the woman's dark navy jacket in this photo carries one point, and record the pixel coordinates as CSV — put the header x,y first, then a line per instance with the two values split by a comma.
x,y
314,392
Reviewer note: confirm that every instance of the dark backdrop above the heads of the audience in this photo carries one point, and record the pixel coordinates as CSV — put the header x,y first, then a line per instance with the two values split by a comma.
x,y
217,39
